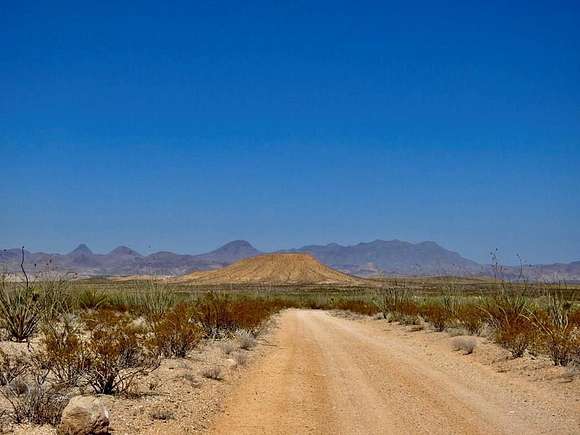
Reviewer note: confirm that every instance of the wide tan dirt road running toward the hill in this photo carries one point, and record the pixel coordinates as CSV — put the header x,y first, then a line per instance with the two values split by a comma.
x,y
331,375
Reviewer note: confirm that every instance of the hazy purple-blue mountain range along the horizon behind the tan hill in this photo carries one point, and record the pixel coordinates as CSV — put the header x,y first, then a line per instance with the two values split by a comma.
x,y
380,257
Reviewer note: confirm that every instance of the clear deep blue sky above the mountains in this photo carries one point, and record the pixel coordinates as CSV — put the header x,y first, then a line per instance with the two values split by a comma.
x,y
183,125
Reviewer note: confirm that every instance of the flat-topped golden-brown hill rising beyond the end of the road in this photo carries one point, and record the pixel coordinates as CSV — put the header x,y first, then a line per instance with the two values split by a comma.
x,y
273,269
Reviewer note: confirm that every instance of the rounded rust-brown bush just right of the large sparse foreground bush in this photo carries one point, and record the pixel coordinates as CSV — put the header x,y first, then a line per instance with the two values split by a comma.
x,y
177,332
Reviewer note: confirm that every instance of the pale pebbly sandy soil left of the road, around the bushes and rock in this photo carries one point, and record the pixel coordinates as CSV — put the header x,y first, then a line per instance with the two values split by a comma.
x,y
177,390
